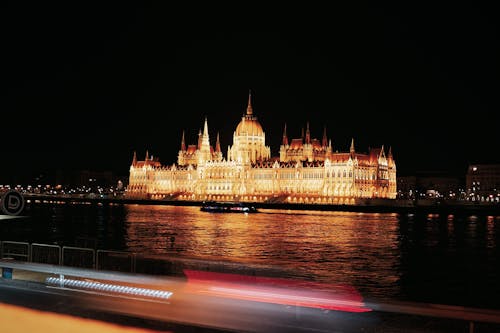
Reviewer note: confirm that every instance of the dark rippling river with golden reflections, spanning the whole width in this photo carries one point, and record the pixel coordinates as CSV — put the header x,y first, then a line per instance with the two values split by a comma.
x,y
451,260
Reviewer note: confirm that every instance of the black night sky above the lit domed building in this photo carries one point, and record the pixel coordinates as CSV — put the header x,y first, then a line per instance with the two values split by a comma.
x,y
83,85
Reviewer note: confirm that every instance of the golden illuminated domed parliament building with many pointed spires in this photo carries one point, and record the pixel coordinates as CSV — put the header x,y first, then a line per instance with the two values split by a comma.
x,y
306,171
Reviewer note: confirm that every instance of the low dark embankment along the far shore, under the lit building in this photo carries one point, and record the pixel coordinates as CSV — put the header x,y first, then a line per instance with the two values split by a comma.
x,y
366,205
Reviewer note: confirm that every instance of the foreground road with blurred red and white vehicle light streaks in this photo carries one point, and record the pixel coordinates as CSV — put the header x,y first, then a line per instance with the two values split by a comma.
x,y
202,307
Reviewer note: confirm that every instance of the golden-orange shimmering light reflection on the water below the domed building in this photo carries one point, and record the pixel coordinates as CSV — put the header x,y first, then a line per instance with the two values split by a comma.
x,y
332,247
